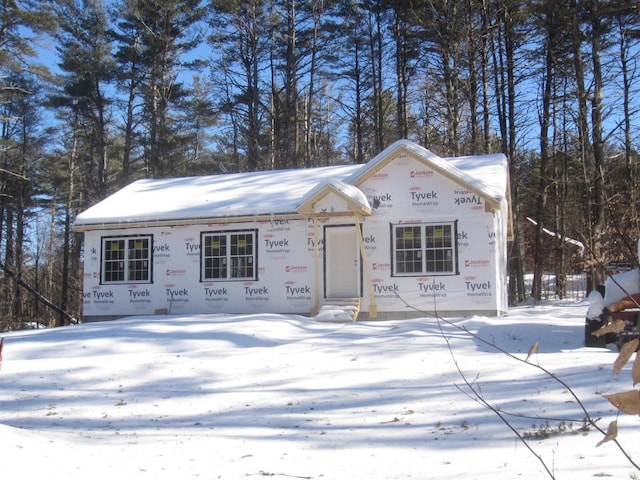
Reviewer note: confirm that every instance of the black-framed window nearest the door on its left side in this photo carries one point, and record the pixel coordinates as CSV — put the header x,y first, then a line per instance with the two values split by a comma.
x,y
229,255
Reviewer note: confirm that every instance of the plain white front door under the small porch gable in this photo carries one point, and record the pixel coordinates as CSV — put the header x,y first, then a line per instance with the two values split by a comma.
x,y
341,262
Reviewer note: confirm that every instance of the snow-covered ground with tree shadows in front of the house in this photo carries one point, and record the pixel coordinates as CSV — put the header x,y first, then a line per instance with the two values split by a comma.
x,y
249,396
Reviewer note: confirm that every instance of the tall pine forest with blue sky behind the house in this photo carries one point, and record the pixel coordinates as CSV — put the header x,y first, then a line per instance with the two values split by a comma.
x,y
98,93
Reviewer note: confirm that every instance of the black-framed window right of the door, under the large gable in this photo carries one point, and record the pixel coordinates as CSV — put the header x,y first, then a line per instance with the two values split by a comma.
x,y
424,248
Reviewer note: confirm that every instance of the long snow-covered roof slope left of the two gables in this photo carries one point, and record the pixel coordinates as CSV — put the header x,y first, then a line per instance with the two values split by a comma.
x,y
272,192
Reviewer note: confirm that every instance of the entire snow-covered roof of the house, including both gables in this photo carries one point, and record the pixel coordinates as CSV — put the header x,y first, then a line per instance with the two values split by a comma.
x,y
273,192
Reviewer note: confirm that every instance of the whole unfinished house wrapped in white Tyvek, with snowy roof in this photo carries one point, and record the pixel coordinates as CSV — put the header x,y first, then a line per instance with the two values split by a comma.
x,y
407,234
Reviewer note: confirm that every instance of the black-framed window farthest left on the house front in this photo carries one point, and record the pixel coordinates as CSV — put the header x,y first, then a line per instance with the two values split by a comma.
x,y
126,259
